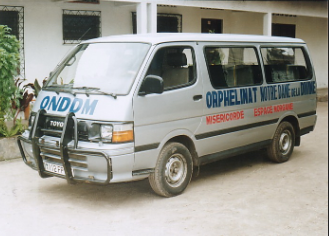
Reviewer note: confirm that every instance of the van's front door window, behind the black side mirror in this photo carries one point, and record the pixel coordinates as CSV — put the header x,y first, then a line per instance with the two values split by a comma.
x,y
175,65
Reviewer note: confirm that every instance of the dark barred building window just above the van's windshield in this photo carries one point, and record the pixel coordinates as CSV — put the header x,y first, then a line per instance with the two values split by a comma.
x,y
80,25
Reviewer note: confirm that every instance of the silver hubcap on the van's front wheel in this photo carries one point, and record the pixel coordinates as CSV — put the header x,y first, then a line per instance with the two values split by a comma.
x,y
176,170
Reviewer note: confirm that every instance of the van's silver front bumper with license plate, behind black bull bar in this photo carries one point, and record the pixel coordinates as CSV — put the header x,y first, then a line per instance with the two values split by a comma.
x,y
82,164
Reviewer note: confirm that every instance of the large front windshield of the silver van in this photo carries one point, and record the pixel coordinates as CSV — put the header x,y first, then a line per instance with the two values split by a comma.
x,y
107,67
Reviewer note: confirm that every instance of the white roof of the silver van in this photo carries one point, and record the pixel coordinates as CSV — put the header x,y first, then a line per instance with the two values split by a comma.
x,y
192,37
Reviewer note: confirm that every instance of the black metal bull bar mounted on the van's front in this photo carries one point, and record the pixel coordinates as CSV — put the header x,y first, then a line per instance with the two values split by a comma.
x,y
79,164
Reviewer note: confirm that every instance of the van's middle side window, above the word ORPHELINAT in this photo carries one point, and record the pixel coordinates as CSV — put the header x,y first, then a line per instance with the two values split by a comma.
x,y
233,66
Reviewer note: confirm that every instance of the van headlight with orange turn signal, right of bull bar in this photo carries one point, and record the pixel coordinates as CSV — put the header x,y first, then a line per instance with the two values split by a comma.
x,y
105,132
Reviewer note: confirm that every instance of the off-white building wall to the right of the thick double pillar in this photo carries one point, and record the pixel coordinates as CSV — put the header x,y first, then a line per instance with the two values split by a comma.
x,y
312,30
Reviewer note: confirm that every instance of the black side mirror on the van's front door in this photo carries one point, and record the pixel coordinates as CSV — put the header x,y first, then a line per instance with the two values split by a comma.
x,y
151,84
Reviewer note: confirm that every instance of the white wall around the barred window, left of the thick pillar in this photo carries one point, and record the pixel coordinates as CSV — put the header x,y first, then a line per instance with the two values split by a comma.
x,y
44,46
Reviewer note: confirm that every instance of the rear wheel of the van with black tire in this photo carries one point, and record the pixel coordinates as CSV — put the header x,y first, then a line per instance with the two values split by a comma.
x,y
283,143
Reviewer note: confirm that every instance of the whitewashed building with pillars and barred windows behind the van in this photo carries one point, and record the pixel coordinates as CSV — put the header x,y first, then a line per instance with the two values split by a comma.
x,y
48,29
